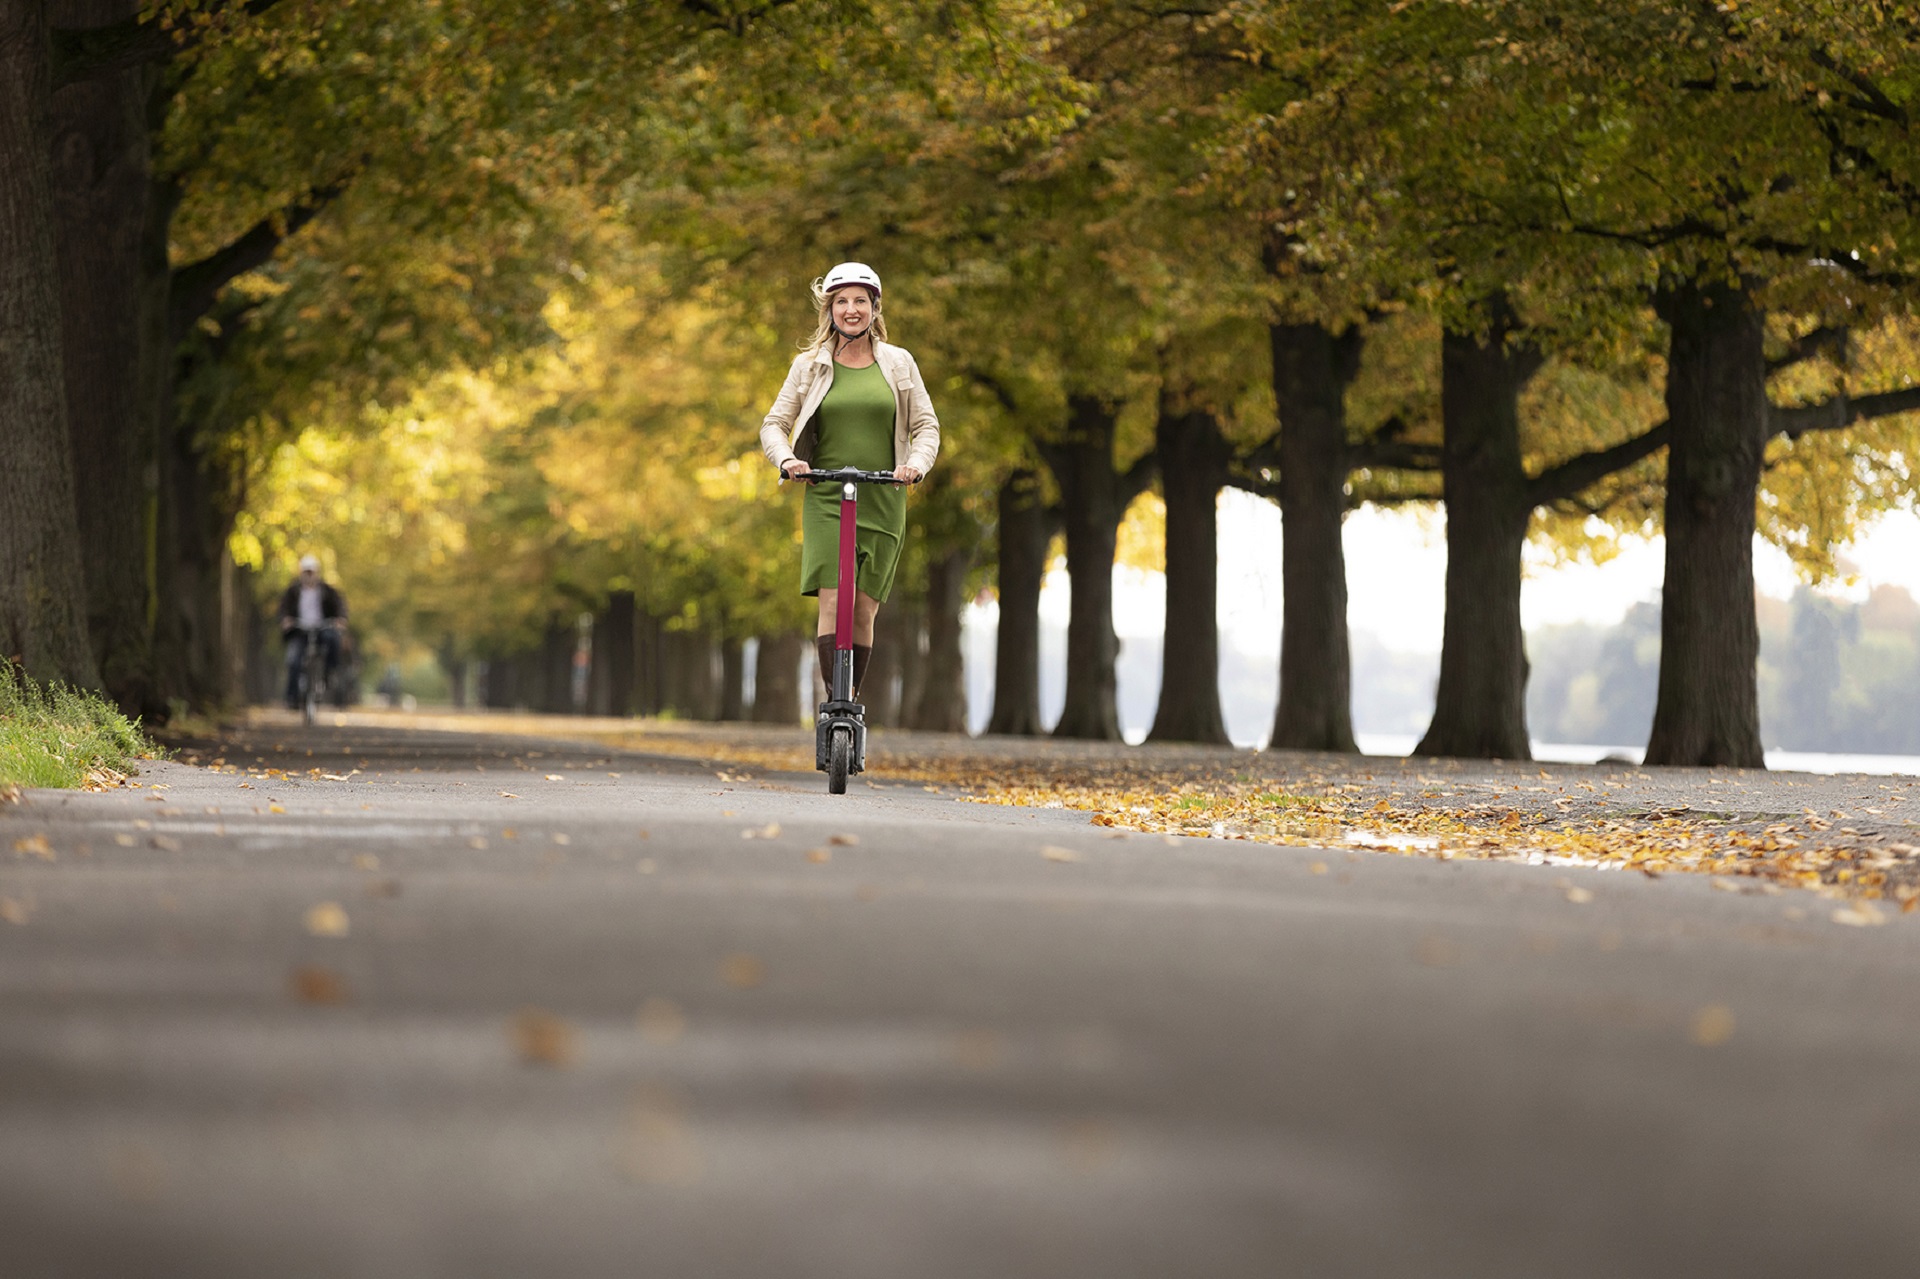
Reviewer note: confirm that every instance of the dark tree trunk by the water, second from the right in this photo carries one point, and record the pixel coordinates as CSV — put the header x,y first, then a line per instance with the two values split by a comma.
x,y
1481,702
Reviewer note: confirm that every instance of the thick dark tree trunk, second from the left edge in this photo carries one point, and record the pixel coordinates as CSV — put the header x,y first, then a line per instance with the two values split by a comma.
x,y
101,185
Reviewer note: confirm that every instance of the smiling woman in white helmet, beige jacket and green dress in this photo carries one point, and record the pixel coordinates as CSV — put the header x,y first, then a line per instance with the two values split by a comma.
x,y
852,400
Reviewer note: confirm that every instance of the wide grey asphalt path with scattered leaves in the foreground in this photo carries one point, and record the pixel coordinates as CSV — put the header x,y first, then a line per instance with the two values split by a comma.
x,y
439,1005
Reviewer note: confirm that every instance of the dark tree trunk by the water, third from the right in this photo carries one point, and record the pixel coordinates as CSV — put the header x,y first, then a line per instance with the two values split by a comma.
x,y
1312,370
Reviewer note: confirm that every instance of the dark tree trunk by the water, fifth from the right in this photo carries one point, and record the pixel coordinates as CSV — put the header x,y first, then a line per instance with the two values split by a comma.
x,y
1092,506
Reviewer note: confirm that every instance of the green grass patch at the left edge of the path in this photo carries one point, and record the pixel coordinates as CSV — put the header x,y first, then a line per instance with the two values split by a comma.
x,y
59,736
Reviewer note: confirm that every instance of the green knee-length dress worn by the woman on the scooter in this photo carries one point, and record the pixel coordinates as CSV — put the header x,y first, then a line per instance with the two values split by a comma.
x,y
855,431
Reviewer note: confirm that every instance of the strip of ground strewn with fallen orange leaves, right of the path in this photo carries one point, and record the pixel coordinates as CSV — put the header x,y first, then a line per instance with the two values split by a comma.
x,y
1625,819
